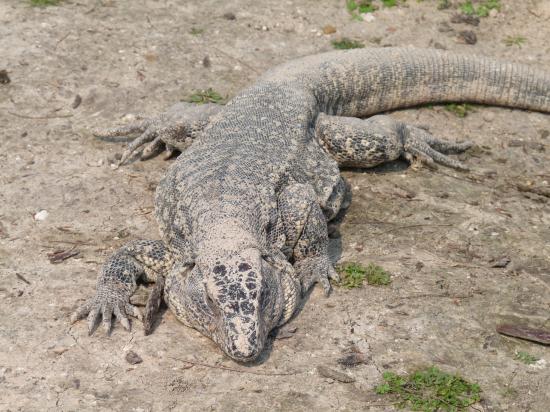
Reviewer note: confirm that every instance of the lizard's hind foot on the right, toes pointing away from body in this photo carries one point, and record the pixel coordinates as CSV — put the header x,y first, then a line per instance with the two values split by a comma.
x,y
420,146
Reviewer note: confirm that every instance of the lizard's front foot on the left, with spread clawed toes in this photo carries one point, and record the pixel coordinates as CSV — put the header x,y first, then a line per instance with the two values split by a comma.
x,y
106,304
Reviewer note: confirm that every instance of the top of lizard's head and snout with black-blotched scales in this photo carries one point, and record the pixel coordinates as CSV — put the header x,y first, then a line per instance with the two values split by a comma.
x,y
245,298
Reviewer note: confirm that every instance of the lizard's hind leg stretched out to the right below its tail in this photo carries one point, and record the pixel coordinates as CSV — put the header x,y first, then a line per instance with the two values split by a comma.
x,y
367,143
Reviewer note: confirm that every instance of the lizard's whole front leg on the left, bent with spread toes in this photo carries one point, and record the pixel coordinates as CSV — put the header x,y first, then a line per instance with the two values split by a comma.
x,y
142,259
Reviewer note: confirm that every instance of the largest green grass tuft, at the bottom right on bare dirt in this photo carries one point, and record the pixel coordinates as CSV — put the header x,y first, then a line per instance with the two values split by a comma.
x,y
430,390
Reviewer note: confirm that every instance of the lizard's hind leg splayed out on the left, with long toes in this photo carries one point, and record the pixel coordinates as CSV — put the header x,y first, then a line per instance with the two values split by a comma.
x,y
176,128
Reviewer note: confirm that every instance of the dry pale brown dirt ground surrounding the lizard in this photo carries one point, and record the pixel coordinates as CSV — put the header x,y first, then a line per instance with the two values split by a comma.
x,y
438,232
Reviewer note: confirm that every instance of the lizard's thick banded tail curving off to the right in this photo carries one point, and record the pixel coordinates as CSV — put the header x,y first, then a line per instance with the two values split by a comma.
x,y
367,81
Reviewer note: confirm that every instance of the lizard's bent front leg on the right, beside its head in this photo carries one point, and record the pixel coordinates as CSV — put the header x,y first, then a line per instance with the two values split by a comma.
x,y
306,233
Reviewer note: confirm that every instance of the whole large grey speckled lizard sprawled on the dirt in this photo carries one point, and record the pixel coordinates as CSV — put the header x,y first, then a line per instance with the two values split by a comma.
x,y
243,211
